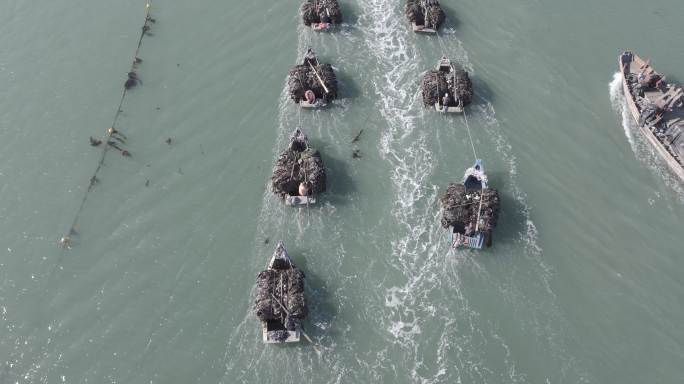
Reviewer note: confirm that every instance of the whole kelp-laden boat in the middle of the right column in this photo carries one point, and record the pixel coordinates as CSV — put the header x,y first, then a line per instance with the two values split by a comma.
x,y
447,88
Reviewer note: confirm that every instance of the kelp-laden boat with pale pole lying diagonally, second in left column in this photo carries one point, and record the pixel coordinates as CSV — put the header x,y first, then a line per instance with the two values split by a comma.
x,y
312,84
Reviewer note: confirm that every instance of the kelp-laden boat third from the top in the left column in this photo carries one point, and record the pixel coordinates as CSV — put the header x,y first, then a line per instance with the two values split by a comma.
x,y
298,165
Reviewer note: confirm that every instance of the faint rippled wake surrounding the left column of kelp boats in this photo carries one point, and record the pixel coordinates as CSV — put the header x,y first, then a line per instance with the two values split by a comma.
x,y
309,234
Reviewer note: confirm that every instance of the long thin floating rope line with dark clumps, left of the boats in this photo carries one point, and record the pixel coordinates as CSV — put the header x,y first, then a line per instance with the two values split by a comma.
x,y
112,135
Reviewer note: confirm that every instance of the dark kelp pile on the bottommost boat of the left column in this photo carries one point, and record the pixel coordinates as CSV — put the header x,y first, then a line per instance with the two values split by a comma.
x,y
286,287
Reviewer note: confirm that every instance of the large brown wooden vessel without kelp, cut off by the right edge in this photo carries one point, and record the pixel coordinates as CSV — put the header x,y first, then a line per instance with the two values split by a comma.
x,y
657,107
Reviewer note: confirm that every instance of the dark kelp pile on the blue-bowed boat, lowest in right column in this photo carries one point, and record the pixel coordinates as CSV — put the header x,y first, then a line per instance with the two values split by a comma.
x,y
460,208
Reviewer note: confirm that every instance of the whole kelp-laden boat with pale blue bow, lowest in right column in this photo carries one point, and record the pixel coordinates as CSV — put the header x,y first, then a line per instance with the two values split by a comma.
x,y
470,209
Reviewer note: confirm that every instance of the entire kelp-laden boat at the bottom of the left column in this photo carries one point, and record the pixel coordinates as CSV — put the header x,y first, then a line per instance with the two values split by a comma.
x,y
280,303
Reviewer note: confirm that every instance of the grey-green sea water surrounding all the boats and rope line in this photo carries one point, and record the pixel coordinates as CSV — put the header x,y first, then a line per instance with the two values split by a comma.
x,y
583,284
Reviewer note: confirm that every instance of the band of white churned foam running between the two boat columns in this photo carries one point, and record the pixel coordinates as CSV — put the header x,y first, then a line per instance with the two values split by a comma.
x,y
418,249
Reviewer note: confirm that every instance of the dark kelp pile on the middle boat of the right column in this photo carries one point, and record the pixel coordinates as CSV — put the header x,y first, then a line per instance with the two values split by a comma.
x,y
456,84
